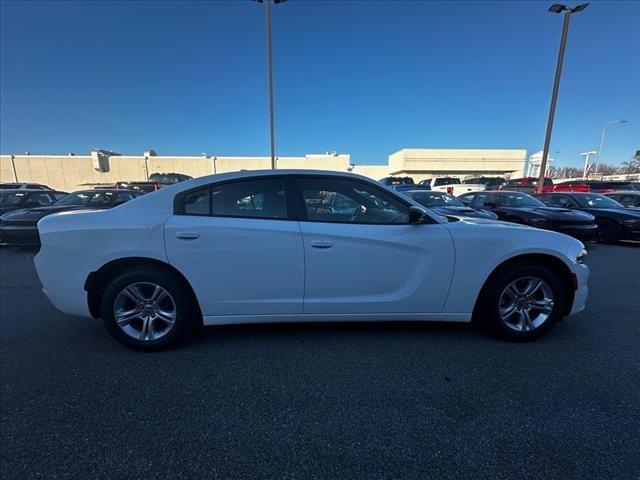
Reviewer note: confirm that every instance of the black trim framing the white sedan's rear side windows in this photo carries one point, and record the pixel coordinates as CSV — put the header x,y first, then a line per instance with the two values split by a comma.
x,y
178,202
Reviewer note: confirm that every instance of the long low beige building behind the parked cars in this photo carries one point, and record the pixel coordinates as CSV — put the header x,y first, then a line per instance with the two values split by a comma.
x,y
100,167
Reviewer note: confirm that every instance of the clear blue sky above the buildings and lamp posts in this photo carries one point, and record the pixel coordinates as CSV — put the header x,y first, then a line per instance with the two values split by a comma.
x,y
365,78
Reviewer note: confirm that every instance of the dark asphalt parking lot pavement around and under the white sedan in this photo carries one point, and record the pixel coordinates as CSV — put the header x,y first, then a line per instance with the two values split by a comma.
x,y
323,400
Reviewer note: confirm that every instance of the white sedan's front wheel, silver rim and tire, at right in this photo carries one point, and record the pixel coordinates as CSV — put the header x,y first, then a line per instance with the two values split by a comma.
x,y
523,301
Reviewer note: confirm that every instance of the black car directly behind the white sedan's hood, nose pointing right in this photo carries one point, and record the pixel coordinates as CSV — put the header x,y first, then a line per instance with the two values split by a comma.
x,y
519,207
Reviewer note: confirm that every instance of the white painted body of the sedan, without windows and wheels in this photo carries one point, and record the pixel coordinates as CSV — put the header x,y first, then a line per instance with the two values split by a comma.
x,y
258,270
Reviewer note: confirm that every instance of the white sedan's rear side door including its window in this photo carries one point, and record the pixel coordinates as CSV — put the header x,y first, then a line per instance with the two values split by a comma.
x,y
240,247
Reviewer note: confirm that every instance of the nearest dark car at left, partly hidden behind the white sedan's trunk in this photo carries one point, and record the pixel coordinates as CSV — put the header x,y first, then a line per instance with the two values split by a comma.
x,y
19,227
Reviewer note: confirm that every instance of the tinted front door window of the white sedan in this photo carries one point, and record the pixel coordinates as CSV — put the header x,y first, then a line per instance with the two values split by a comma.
x,y
338,200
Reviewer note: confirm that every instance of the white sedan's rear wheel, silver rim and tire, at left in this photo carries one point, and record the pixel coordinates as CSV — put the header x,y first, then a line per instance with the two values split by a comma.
x,y
147,309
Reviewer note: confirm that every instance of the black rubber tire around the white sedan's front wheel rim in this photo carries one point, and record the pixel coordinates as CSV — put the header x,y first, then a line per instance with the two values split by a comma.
x,y
488,313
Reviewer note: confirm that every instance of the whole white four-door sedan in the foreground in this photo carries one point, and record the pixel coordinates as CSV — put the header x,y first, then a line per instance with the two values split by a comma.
x,y
300,245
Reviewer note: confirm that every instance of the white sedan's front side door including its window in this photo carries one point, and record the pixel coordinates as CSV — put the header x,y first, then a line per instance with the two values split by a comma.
x,y
362,255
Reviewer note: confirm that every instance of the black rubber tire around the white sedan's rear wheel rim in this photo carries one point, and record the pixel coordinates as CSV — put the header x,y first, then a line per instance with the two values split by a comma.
x,y
186,311
